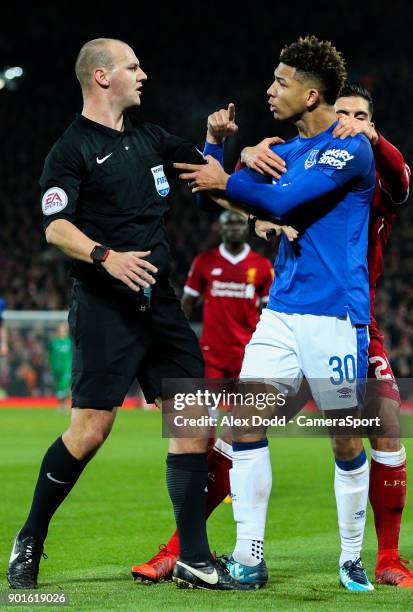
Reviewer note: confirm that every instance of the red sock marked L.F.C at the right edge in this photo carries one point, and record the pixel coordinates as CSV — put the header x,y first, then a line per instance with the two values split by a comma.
x,y
387,497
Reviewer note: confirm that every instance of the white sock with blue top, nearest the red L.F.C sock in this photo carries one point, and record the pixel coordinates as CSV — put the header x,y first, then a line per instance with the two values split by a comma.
x,y
351,486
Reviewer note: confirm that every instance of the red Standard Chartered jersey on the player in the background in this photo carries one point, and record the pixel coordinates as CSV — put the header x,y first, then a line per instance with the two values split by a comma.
x,y
232,287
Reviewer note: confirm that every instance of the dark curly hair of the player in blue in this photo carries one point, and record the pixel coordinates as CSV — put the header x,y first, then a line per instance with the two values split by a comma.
x,y
318,60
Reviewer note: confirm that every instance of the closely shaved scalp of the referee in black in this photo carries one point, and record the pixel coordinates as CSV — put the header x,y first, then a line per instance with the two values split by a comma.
x,y
97,53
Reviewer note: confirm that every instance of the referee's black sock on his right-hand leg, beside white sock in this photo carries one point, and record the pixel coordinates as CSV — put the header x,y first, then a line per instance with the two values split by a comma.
x,y
187,479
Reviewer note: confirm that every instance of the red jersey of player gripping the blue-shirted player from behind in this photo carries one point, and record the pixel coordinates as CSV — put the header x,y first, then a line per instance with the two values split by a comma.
x,y
392,189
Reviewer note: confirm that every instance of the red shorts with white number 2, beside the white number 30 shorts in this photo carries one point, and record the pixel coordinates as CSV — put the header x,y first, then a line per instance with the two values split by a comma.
x,y
380,369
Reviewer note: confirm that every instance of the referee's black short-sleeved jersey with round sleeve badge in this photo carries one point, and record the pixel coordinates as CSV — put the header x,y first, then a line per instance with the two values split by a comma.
x,y
112,185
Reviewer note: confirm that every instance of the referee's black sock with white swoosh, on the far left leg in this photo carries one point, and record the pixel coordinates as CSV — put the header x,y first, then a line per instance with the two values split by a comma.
x,y
58,474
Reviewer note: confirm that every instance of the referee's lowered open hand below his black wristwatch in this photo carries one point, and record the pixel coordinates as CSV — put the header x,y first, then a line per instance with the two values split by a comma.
x,y
131,268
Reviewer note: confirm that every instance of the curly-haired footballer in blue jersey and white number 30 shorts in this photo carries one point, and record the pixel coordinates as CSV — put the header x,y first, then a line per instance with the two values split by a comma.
x,y
316,321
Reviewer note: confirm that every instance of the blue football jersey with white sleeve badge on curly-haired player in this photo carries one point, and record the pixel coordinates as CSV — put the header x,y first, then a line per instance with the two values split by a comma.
x,y
325,194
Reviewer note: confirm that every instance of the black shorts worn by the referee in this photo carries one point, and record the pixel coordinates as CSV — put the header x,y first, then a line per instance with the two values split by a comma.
x,y
114,343
